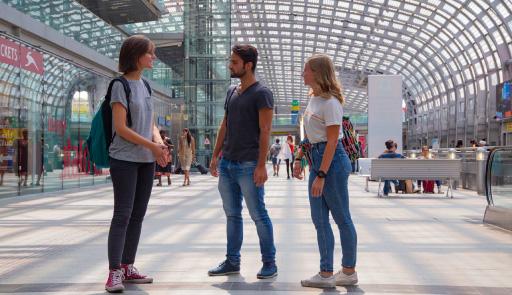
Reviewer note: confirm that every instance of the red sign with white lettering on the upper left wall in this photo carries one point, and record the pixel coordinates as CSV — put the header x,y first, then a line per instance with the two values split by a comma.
x,y
21,56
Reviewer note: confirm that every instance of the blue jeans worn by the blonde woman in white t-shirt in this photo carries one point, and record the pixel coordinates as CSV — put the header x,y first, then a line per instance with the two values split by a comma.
x,y
335,200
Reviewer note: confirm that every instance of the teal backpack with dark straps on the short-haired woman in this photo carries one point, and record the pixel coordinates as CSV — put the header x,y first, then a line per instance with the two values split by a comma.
x,y
100,136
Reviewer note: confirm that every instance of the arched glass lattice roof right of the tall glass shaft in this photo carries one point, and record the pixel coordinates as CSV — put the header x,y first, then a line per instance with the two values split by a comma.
x,y
446,50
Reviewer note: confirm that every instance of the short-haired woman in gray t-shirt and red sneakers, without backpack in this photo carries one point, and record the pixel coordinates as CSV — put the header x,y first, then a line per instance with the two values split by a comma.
x,y
133,152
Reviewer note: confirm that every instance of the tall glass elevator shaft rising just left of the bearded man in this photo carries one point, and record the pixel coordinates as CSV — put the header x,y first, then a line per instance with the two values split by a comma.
x,y
207,49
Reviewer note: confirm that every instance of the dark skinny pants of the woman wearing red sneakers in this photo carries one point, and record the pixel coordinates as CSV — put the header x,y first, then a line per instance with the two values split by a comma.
x,y
132,188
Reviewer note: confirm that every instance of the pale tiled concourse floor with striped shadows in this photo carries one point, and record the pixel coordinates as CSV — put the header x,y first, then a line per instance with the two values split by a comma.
x,y
412,244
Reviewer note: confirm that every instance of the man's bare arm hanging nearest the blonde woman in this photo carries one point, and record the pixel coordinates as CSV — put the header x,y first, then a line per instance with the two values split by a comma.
x,y
265,123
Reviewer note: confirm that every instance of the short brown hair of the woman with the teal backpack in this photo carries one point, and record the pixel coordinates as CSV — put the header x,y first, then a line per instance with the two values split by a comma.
x,y
132,50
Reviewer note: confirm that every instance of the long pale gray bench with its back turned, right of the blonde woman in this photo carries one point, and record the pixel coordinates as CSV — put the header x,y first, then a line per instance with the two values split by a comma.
x,y
416,169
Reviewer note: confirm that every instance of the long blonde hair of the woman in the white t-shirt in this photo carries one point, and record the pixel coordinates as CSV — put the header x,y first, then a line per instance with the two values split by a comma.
x,y
325,77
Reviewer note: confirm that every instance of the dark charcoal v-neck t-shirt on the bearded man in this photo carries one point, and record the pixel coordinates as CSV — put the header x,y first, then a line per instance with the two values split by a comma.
x,y
242,142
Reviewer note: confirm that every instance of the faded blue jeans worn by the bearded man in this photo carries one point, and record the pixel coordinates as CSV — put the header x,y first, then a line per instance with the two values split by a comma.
x,y
235,183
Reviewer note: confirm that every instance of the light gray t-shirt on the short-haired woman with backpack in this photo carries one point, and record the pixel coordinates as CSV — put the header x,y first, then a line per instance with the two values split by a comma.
x,y
141,108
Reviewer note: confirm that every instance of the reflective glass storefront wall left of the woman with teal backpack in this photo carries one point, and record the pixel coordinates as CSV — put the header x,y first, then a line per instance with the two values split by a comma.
x,y
45,114
